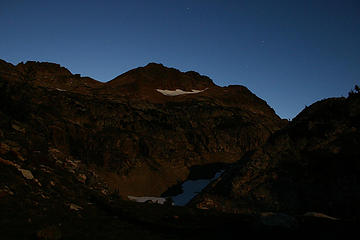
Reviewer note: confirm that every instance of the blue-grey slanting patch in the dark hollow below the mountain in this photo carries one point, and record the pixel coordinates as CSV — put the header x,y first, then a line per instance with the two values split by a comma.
x,y
191,188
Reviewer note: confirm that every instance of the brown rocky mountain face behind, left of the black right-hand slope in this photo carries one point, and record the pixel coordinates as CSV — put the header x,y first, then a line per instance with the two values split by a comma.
x,y
133,137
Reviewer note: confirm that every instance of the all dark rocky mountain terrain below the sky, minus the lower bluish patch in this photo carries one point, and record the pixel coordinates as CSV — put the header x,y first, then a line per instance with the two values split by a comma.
x,y
73,149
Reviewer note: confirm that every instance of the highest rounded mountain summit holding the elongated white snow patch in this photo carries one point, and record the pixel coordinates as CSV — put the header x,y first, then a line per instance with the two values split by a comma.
x,y
154,81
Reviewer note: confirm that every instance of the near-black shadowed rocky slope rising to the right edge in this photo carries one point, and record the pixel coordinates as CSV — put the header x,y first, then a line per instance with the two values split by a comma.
x,y
310,165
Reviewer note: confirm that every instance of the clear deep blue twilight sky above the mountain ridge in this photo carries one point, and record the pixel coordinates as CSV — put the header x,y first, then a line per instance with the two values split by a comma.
x,y
290,53
